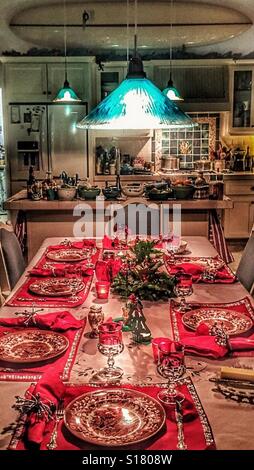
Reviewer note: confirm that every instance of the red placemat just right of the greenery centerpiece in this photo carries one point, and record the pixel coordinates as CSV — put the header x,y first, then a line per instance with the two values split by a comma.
x,y
192,266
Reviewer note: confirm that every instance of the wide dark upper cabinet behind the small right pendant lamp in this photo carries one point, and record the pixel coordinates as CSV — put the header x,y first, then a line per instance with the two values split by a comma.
x,y
204,88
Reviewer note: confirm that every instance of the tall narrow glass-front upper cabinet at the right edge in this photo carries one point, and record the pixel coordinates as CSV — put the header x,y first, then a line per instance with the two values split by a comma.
x,y
242,104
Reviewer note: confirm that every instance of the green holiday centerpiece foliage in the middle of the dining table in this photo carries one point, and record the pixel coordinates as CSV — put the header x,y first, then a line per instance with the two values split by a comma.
x,y
142,274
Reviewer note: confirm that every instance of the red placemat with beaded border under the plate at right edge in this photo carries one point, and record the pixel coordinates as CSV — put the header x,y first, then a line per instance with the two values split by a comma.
x,y
207,346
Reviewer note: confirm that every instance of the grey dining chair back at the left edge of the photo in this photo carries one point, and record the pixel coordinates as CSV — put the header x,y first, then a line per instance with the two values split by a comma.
x,y
13,263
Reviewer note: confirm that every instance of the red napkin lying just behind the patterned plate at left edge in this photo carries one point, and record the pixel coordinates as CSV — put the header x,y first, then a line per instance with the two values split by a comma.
x,y
59,321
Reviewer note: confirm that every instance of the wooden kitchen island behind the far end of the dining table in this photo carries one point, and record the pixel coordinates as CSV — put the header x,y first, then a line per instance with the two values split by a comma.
x,y
56,218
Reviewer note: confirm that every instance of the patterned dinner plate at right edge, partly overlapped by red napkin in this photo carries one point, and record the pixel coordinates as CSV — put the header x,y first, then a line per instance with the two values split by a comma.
x,y
233,323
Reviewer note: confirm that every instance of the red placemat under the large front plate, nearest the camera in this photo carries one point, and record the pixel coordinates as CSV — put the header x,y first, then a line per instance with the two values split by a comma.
x,y
197,431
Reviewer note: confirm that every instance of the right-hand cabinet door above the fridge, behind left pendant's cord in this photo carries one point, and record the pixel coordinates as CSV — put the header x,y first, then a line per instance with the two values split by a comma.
x,y
78,77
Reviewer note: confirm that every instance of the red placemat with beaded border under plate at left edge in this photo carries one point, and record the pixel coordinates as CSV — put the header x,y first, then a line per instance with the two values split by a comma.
x,y
62,365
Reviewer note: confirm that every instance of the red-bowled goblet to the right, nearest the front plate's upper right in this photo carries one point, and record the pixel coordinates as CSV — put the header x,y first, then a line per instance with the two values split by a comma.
x,y
171,366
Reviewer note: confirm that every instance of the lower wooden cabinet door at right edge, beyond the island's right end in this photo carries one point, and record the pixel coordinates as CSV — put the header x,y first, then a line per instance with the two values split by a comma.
x,y
237,220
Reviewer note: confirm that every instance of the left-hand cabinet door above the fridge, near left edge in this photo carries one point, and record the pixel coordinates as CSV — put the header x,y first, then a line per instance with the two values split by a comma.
x,y
26,82
